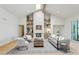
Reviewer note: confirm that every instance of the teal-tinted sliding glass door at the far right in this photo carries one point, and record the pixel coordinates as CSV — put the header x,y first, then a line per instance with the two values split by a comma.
x,y
75,30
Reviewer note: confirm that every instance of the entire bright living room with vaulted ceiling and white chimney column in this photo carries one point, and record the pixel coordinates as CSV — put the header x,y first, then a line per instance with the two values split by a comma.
x,y
39,29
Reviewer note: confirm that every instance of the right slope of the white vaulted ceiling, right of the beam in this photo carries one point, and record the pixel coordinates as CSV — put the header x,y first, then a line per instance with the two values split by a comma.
x,y
63,10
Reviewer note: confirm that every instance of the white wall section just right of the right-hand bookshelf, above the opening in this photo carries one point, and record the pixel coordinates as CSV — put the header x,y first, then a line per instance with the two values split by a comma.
x,y
56,21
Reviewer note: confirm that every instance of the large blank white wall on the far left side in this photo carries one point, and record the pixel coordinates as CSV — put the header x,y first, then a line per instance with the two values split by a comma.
x,y
8,26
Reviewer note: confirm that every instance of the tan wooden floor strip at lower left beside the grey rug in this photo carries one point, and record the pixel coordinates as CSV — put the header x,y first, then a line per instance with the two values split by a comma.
x,y
7,47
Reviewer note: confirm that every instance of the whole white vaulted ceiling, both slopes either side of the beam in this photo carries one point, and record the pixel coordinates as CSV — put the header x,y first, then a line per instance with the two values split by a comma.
x,y
59,10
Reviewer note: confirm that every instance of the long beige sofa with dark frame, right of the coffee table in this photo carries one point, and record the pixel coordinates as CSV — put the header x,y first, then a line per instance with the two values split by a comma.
x,y
59,42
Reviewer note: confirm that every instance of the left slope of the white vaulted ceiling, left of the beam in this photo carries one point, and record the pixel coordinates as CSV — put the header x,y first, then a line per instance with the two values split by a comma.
x,y
19,10
